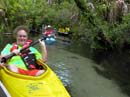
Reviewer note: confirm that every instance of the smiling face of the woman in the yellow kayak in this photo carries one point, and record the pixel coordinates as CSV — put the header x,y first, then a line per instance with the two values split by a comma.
x,y
22,37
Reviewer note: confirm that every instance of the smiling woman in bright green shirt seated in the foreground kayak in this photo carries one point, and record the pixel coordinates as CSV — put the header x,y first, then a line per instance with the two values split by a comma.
x,y
24,63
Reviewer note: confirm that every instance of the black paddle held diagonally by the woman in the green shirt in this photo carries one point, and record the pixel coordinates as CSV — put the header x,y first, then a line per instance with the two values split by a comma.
x,y
5,58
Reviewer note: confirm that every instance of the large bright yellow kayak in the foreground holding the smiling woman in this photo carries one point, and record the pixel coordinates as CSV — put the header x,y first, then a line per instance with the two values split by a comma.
x,y
45,85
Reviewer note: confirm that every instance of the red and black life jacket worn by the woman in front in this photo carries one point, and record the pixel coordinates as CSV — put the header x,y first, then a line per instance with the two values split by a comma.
x,y
27,56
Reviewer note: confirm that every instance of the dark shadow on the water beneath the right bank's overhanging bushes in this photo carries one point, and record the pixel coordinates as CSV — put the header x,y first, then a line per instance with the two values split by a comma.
x,y
113,65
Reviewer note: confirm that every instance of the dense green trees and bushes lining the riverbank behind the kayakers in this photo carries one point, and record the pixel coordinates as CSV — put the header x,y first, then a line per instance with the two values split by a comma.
x,y
90,20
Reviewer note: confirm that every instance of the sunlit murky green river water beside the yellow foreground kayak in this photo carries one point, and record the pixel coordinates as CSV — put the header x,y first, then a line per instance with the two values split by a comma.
x,y
78,72
